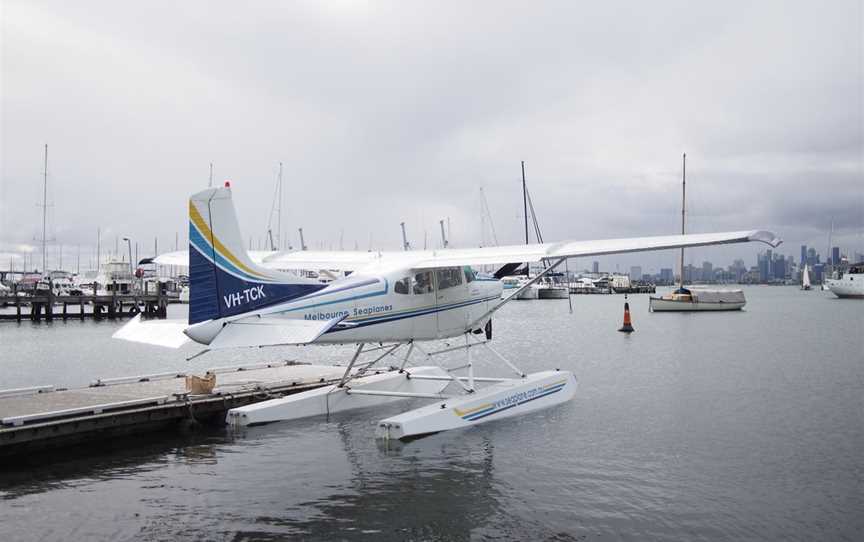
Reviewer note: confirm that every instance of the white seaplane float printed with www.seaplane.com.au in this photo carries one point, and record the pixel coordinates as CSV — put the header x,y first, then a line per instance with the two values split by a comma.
x,y
496,402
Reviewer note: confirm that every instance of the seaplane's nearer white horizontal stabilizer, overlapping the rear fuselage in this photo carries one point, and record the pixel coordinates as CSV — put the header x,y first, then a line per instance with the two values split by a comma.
x,y
271,331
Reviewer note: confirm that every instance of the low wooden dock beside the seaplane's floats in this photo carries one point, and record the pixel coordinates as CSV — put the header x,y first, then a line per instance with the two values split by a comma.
x,y
44,417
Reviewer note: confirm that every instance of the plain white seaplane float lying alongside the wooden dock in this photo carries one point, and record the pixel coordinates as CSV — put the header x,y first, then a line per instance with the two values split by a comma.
x,y
332,399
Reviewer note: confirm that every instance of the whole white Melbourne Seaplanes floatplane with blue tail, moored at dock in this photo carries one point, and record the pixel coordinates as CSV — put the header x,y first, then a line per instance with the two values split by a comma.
x,y
394,306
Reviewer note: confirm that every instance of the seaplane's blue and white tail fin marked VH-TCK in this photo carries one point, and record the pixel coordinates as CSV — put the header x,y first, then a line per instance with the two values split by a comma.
x,y
223,281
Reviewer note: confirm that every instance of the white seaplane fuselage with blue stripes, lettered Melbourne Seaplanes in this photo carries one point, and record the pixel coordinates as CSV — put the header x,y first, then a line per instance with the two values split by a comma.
x,y
393,306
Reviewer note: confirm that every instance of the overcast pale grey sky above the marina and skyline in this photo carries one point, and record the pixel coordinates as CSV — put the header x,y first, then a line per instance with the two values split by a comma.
x,y
389,112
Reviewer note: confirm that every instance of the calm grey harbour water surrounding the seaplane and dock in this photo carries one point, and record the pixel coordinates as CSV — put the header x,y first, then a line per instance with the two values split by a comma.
x,y
703,426
